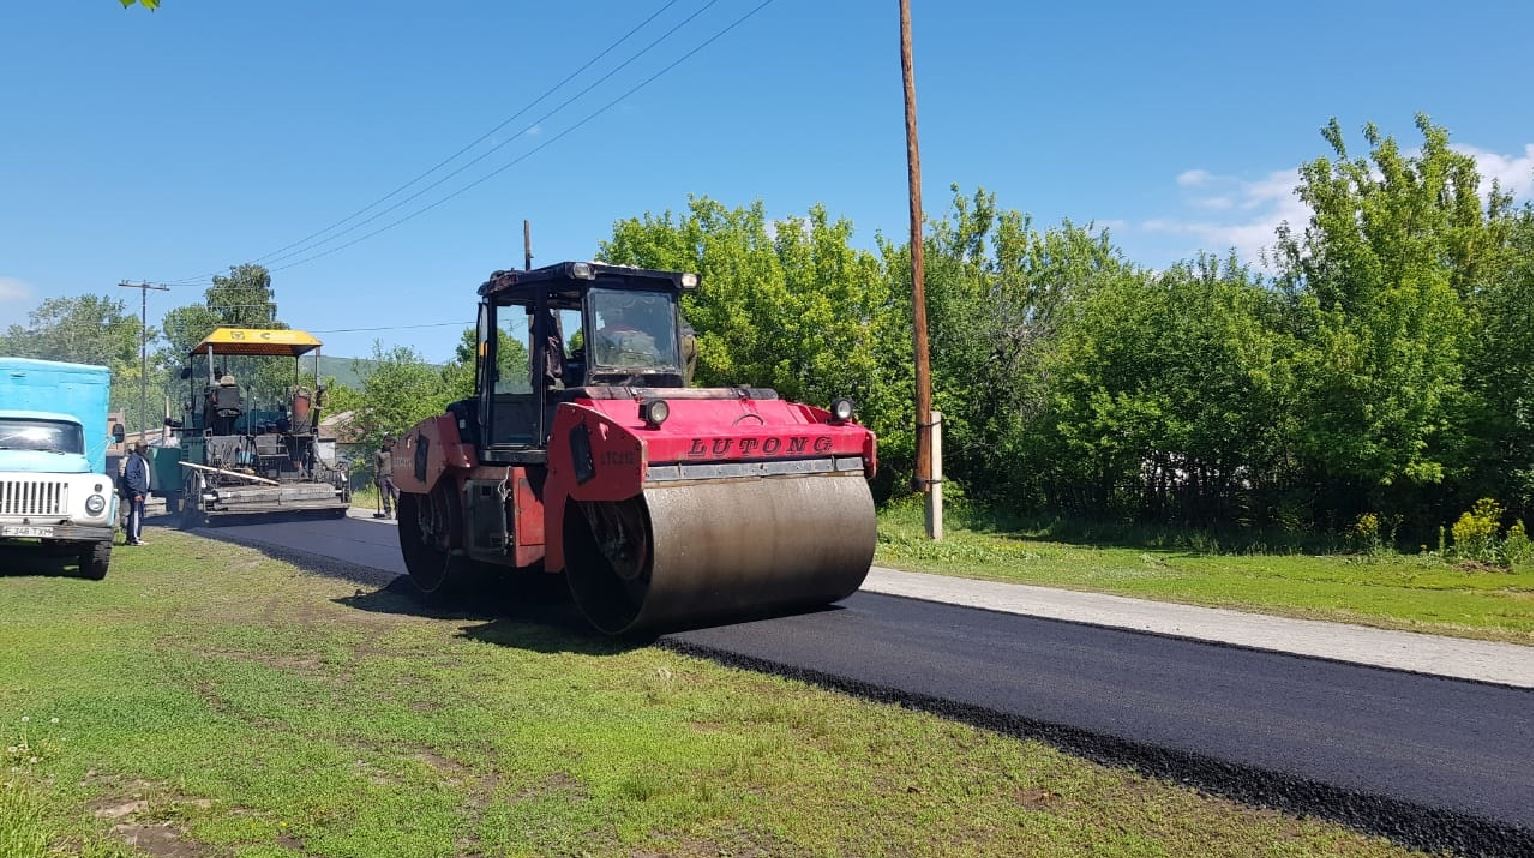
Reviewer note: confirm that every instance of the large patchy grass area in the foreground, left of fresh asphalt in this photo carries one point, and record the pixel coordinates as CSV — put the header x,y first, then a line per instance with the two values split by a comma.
x,y
219,702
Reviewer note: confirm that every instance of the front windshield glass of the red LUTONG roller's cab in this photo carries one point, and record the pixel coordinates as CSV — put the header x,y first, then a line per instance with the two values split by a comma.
x,y
636,331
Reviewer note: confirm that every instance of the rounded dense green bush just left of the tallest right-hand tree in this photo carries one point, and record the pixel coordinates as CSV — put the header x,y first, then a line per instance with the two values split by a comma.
x,y
1170,394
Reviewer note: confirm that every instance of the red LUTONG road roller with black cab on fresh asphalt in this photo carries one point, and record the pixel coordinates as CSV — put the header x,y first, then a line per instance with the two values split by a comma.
x,y
585,454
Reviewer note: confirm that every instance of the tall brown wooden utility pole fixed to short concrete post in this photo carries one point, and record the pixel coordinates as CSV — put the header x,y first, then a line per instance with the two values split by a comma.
x,y
926,480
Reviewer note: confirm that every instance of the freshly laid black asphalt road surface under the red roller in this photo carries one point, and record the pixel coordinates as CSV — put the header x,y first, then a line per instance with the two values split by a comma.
x,y
1430,762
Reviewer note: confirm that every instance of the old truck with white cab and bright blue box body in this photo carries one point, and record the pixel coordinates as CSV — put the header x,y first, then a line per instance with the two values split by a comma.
x,y
56,493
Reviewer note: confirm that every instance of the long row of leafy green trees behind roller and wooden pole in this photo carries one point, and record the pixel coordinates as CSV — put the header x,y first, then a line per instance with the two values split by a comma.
x,y
1384,368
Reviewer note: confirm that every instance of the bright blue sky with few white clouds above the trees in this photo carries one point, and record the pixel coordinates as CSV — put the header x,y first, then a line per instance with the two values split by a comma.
x,y
165,147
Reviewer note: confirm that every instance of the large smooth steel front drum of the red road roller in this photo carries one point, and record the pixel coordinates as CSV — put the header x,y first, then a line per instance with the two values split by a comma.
x,y
705,552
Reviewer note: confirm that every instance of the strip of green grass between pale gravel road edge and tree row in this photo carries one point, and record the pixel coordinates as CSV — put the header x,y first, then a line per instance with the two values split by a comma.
x,y
1391,592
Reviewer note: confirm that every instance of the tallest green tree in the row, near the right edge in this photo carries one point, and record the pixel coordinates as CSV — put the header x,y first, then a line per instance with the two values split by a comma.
x,y
1381,282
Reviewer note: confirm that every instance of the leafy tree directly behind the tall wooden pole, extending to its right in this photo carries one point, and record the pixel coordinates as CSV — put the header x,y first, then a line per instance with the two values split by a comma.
x,y
996,292
